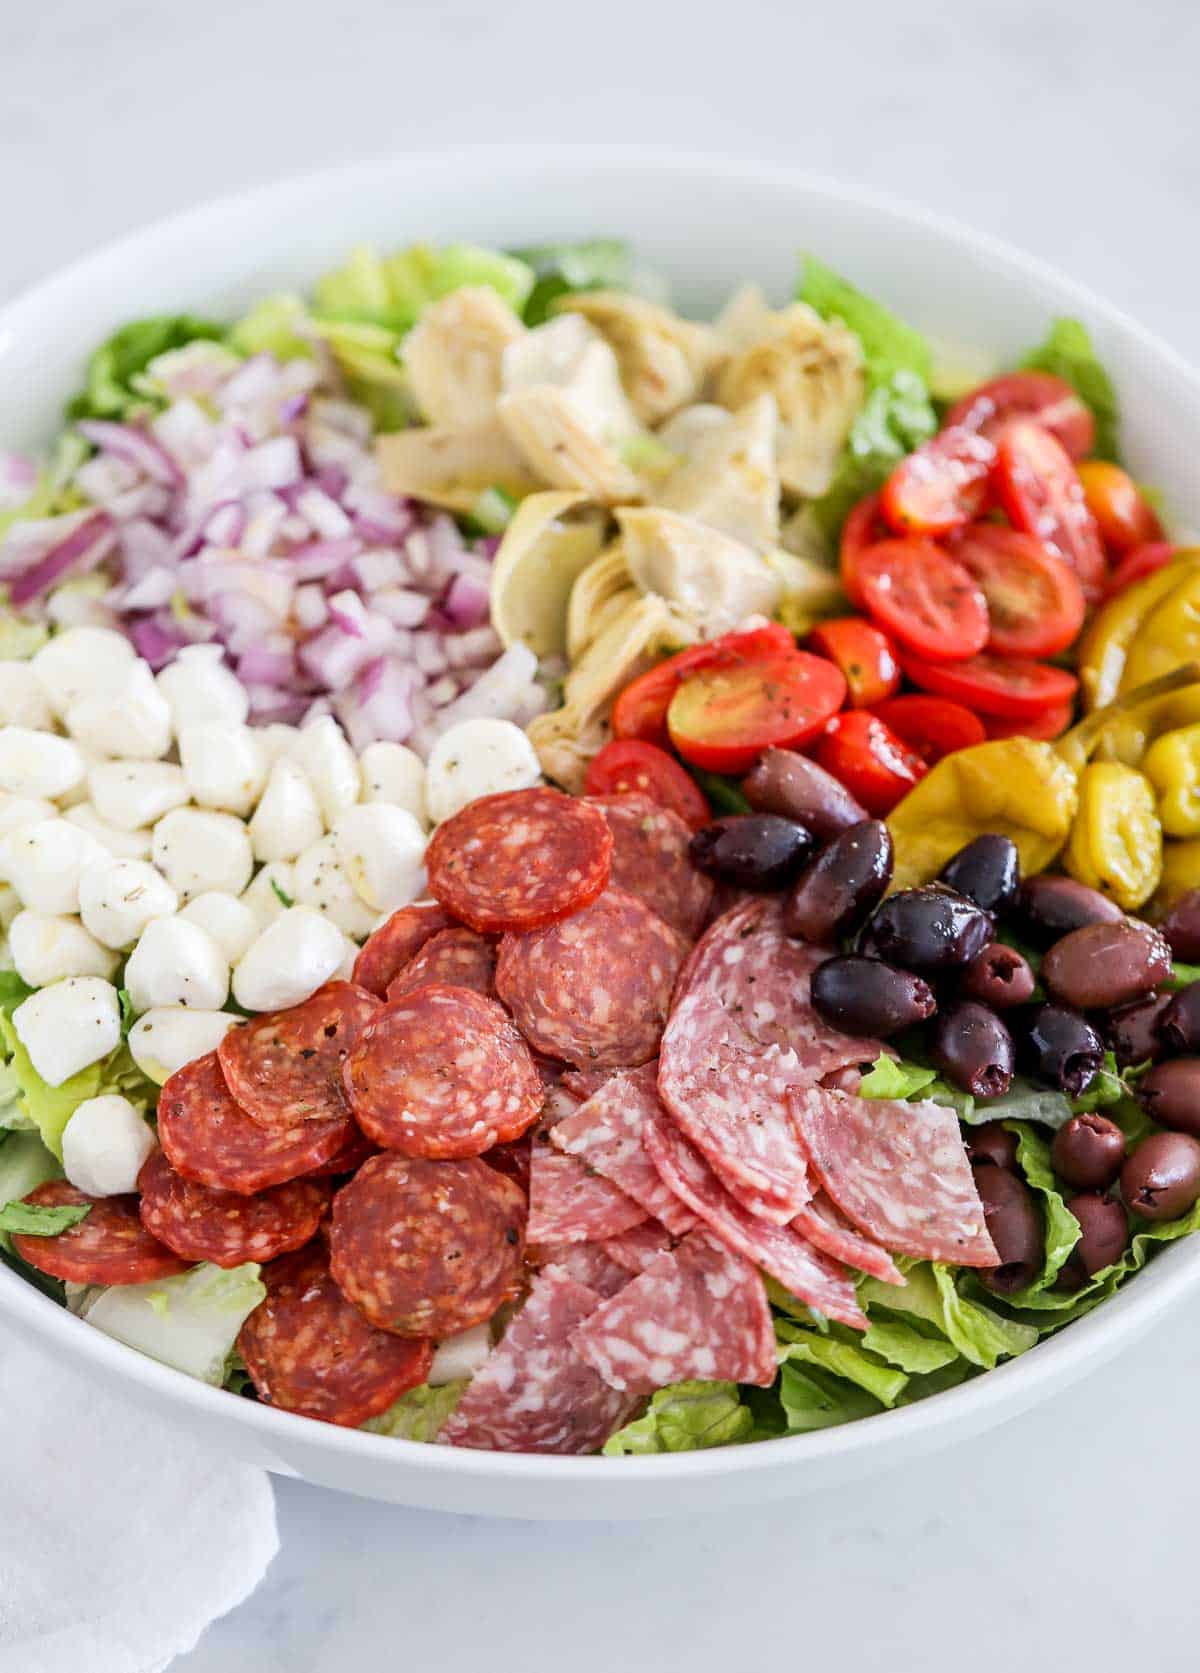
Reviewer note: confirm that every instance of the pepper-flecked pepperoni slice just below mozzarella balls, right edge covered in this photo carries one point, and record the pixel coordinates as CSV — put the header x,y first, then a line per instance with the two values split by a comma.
x,y
285,1067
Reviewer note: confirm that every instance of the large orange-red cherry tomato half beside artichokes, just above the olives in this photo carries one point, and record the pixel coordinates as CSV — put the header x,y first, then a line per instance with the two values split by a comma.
x,y
724,719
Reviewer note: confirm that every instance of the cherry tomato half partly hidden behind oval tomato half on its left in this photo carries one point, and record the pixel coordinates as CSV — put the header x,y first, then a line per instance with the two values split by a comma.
x,y
1035,601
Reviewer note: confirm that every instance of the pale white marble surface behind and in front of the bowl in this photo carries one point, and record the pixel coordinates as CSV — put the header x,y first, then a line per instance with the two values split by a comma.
x,y
1069,128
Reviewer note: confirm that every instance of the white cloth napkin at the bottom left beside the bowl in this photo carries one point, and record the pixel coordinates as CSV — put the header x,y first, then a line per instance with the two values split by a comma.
x,y
120,1538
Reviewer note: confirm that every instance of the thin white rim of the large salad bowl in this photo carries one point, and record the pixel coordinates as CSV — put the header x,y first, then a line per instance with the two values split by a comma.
x,y
1017,1384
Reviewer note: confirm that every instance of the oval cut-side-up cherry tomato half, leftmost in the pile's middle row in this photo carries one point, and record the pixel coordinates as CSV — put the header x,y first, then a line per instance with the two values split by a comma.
x,y
923,598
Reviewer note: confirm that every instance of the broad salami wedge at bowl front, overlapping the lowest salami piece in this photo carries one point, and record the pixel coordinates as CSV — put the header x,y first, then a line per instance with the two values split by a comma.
x,y
695,1312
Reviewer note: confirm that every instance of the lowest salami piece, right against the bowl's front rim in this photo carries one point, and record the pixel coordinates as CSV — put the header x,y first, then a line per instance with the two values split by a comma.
x,y
535,1394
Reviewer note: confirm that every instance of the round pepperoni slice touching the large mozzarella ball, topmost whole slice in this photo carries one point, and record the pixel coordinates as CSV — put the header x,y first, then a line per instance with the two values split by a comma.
x,y
520,861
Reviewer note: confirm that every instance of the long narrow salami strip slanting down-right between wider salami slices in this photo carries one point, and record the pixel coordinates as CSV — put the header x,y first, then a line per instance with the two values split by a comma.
x,y
818,1281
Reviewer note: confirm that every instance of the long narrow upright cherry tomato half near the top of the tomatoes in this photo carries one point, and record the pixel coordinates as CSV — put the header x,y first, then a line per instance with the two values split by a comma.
x,y
1040,489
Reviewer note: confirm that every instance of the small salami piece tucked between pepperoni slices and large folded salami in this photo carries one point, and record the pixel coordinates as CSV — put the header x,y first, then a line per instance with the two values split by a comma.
x,y
607,1133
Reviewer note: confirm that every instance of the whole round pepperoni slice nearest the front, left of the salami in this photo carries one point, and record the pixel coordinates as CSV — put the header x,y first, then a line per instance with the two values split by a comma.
x,y
428,1249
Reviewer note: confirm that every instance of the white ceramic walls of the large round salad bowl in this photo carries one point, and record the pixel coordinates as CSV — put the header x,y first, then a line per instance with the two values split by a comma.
x,y
709,225
